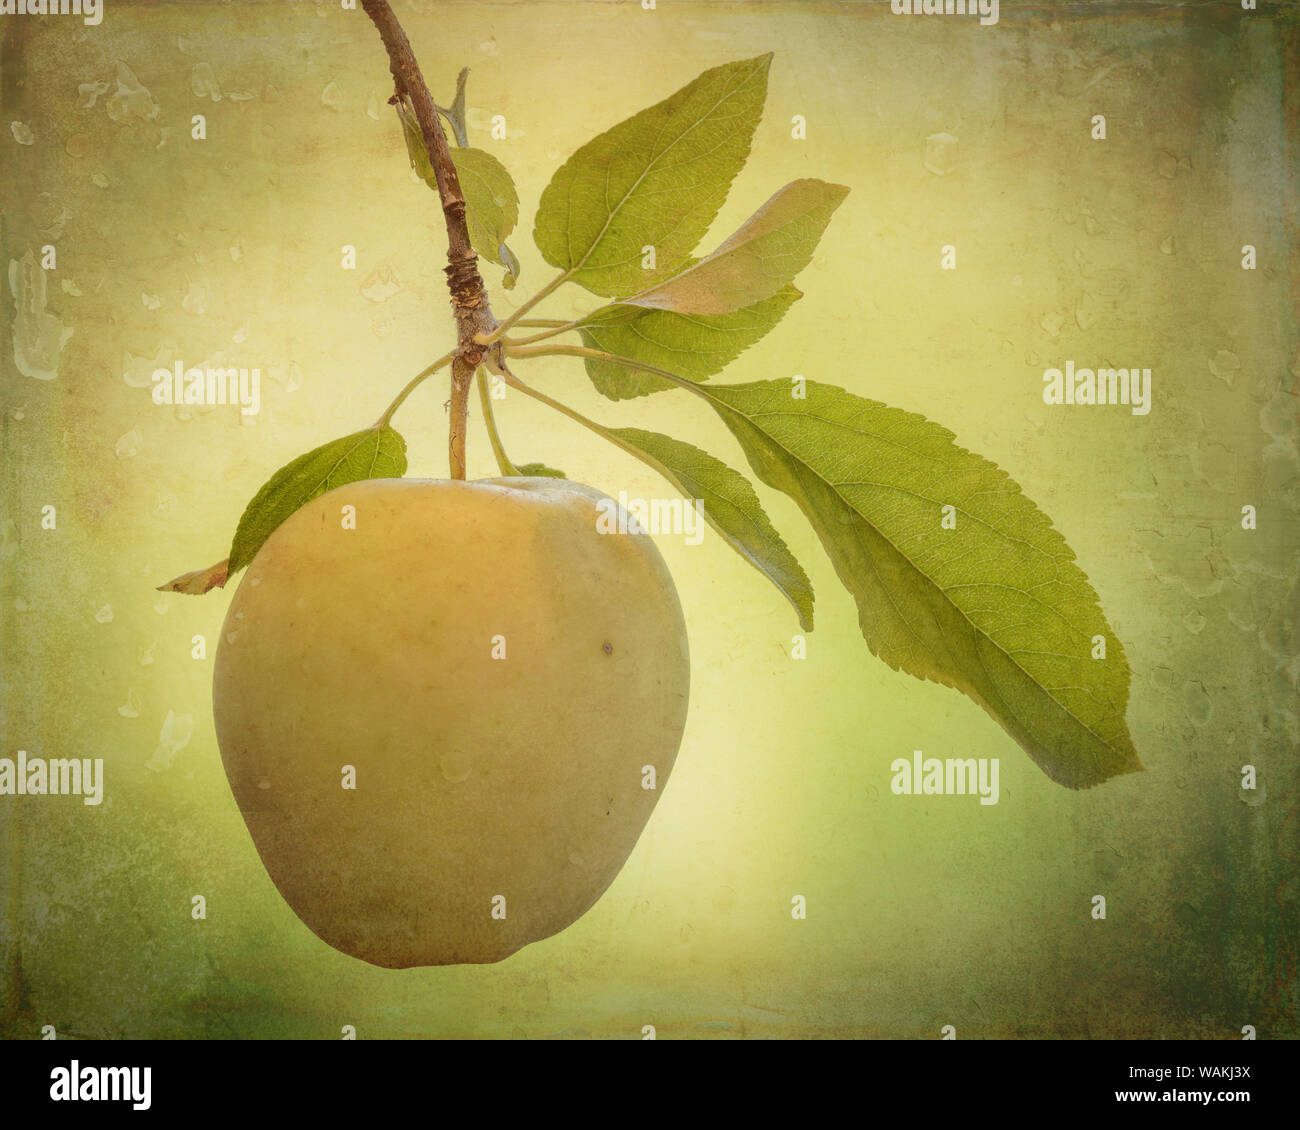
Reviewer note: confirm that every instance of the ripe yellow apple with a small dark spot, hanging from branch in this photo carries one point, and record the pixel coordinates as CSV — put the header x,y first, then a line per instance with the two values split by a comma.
x,y
448,717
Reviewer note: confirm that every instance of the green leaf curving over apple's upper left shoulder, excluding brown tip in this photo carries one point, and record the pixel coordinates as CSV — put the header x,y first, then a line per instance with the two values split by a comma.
x,y
376,453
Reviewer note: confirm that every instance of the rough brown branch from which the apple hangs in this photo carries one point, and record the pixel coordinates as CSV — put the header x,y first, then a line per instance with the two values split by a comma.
x,y
469,295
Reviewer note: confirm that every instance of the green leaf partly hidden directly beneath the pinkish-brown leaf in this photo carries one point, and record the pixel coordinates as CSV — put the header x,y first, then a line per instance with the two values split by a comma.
x,y
692,345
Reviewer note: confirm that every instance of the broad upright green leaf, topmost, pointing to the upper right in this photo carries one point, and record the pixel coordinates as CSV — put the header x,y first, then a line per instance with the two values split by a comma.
x,y
655,180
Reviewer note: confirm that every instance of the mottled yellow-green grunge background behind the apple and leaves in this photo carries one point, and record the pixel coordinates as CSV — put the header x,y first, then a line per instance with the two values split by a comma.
x,y
922,912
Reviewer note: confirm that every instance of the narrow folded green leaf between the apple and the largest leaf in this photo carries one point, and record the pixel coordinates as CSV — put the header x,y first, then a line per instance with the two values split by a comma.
x,y
730,506
